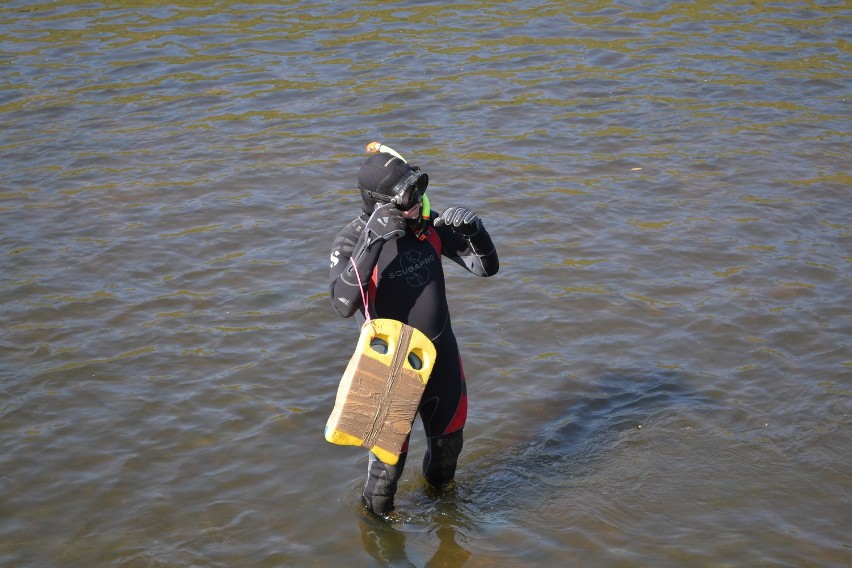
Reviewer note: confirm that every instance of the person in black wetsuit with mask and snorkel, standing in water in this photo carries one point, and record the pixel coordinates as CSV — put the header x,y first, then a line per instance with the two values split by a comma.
x,y
393,251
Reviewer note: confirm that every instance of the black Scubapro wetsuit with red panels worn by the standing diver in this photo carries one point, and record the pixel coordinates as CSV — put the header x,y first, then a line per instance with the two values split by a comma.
x,y
407,284
